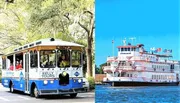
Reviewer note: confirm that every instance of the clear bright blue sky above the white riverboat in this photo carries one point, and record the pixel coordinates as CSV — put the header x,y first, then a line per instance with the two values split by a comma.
x,y
154,23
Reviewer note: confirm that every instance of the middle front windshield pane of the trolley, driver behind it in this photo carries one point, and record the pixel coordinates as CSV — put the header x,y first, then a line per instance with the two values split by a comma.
x,y
63,58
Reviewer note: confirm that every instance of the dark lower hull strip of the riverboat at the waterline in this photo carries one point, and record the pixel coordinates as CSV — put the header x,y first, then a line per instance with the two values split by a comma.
x,y
123,83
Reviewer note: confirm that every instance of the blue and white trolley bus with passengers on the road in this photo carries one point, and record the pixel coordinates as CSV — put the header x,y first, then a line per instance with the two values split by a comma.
x,y
45,67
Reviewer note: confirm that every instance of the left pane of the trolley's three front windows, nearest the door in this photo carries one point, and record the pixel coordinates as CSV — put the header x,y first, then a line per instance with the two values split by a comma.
x,y
47,58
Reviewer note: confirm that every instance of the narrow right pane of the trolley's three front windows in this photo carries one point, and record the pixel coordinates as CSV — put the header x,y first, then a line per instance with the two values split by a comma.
x,y
76,58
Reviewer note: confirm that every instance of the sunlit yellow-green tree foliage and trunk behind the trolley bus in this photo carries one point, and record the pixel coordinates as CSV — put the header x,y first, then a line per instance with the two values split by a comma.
x,y
70,20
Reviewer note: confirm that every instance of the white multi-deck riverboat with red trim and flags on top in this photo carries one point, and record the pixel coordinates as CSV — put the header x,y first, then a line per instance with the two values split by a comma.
x,y
136,67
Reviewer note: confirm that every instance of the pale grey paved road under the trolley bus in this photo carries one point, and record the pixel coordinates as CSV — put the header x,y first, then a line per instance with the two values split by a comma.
x,y
7,97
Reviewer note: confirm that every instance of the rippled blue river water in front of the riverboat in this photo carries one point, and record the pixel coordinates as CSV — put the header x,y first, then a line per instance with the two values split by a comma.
x,y
146,94
